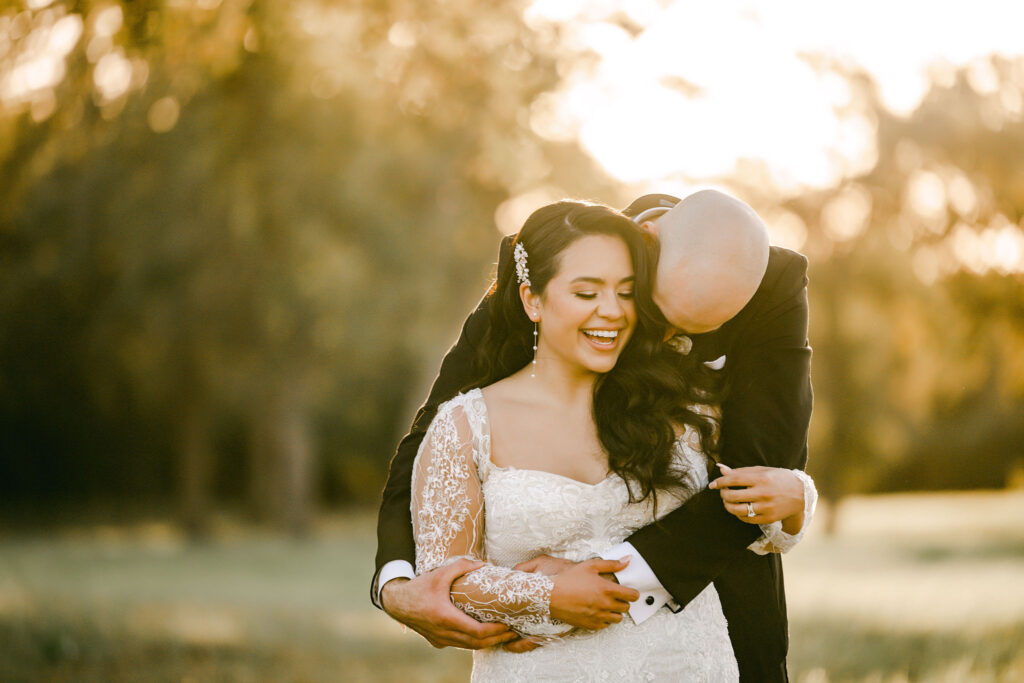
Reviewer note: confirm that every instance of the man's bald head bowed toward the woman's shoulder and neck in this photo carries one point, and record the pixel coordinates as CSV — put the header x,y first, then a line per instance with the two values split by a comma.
x,y
714,252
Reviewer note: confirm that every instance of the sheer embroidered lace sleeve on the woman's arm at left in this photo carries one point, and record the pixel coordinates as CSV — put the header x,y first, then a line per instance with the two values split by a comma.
x,y
448,524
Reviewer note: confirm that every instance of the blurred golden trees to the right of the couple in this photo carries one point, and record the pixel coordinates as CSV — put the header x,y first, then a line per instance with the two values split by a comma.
x,y
916,314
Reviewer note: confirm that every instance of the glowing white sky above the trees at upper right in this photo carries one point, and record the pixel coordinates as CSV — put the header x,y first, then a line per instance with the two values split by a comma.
x,y
755,98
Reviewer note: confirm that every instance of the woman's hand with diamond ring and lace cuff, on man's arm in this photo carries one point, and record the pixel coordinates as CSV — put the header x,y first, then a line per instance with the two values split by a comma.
x,y
783,502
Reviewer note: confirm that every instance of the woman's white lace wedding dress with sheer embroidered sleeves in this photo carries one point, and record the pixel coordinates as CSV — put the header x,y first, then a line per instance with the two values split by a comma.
x,y
465,506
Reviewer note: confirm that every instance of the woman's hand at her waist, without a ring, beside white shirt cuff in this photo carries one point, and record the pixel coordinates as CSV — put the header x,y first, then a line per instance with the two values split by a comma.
x,y
584,599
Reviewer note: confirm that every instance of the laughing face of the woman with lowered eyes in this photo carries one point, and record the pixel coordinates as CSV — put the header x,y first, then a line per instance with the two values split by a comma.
x,y
587,313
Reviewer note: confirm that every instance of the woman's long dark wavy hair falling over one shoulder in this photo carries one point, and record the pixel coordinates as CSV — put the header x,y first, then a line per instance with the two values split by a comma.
x,y
638,405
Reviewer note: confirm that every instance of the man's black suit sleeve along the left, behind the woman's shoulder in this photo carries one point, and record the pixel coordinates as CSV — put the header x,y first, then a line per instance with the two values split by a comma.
x,y
395,531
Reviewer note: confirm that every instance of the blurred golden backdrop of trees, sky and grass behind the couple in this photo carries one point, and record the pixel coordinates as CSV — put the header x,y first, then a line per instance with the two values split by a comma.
x,y
238,236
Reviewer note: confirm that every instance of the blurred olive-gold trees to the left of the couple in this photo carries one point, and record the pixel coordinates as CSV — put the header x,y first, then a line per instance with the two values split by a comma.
x,y
257,214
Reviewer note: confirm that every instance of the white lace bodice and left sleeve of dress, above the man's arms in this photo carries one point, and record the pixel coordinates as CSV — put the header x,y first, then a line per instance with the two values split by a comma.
x,y
529,513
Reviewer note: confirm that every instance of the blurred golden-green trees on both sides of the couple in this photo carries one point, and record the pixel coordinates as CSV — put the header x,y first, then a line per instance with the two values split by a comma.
x,y
237,237
